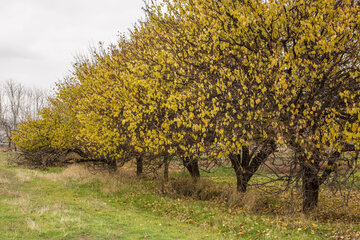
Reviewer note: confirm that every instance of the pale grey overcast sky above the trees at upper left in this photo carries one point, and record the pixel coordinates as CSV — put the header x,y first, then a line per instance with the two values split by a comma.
x,y
40,38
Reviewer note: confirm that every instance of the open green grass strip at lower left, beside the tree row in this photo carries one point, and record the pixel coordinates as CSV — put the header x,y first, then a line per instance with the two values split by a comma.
x,y
37,205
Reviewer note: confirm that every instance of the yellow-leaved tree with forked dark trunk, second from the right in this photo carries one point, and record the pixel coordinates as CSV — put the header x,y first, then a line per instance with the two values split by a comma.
x,y
219,107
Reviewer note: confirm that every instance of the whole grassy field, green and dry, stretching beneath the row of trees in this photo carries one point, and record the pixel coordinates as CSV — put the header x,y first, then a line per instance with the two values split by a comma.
x,y
74,203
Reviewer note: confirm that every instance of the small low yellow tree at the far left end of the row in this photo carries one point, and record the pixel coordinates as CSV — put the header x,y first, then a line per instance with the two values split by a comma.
x,y
50,137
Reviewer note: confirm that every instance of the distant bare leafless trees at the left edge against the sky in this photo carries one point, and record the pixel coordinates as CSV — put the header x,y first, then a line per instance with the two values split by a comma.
x,y
18,103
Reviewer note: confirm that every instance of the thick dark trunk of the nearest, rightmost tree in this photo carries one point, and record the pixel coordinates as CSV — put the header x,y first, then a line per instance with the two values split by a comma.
x,y
310,188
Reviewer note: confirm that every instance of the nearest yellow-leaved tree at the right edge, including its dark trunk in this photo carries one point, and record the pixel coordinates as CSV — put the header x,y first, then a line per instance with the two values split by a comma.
x,y
319,93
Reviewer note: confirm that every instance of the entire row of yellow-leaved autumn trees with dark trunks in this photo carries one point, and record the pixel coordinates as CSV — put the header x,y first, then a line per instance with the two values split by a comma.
x,y
204,80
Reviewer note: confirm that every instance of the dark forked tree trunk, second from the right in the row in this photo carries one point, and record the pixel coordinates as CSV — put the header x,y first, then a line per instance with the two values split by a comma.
x,y
245,166
